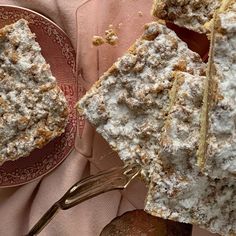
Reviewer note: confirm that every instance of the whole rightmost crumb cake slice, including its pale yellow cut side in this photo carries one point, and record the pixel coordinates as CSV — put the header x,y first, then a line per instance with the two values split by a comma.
x,y
217,153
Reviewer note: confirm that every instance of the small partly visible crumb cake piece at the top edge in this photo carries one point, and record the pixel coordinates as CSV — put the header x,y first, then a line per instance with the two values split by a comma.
x,y
191,14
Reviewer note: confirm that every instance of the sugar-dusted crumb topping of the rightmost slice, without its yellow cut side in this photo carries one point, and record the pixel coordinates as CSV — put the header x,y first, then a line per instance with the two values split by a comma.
x,y
221,153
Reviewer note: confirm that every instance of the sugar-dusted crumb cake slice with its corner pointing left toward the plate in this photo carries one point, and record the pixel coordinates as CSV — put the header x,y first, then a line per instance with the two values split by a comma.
x,y
128,103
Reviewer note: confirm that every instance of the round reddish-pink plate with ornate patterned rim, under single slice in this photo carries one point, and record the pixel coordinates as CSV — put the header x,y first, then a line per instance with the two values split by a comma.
x,y
59,53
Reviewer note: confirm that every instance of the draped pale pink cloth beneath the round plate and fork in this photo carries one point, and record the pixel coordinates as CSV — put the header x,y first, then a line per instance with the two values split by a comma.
x,y
21,207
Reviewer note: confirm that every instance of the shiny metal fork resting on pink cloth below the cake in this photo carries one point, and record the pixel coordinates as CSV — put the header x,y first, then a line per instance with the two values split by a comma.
x,y
115,178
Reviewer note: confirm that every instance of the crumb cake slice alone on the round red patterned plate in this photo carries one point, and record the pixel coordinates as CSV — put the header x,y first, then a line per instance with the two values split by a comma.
x,y
33,109
